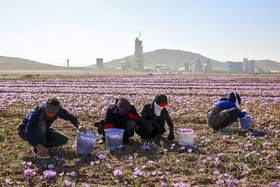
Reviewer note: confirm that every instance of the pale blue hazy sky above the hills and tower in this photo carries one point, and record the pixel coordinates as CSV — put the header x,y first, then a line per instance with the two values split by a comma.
x,y
51,31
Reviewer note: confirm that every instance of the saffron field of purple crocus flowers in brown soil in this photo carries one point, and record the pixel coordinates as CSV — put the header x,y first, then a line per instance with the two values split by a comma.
x,y
245,158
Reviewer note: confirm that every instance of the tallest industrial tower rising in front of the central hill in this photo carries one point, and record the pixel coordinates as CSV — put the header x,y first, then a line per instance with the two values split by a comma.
x,y
138,55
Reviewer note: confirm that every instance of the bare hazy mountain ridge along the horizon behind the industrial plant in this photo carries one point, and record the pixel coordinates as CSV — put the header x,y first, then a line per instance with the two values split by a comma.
x,y
169,57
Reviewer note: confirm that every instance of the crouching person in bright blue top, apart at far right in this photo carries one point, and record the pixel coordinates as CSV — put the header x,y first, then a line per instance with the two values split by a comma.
x,y
225,111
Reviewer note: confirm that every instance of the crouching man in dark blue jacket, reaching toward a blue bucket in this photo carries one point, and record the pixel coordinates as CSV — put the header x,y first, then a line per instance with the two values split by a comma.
x,y
36,127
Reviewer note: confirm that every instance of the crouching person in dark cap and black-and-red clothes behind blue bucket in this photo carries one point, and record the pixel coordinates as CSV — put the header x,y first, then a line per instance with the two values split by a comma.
x,y
120,115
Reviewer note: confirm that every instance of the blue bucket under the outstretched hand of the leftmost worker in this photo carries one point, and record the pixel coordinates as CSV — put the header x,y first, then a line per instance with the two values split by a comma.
x,y
85,142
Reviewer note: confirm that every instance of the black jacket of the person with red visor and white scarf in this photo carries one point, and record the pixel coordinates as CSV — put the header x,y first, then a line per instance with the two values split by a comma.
x,y
147,116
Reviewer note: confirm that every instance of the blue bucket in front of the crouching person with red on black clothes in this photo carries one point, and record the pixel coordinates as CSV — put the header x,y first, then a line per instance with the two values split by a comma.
x,y
114,138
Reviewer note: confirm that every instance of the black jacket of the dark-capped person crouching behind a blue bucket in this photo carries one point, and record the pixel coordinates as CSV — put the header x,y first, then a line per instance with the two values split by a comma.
x,y
118,120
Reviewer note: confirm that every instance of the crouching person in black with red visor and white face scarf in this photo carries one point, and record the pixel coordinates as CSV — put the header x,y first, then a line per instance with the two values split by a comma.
x,y
153,117
